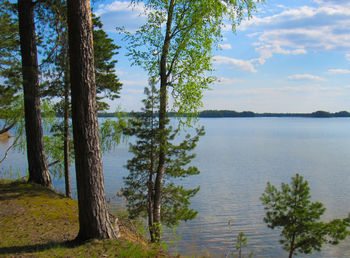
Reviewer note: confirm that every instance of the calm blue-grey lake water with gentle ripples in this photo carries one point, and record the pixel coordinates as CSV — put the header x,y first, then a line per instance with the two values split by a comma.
x,y
237,157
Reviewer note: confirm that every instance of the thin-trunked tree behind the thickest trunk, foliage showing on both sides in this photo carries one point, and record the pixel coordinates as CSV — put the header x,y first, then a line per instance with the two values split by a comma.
x,y
56,69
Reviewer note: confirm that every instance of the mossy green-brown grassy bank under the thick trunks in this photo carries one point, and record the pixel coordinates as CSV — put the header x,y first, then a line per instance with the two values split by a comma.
x,y
37,222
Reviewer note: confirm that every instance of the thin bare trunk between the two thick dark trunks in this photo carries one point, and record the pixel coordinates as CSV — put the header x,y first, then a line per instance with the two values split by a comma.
x,y
66,133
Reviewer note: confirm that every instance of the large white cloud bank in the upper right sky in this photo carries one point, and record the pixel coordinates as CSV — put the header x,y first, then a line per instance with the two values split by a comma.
x,y
299,30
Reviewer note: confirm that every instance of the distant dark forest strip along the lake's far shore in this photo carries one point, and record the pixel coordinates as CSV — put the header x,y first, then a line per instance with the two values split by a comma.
x,y
231,113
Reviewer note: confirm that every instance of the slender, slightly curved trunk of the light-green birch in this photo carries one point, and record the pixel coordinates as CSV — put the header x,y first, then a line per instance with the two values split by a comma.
x,y
162,121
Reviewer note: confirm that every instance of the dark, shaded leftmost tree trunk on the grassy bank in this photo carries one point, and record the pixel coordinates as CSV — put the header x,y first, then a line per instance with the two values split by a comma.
x,y
38,170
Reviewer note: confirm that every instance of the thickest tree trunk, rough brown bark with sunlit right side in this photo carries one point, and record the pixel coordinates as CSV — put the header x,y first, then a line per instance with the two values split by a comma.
x,y
94,220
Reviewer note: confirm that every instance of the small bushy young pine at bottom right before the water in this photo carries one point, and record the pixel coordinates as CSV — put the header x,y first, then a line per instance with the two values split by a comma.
x,y
291,210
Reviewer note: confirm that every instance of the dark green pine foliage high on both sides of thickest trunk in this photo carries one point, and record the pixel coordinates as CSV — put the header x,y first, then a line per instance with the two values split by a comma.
x,y
54,45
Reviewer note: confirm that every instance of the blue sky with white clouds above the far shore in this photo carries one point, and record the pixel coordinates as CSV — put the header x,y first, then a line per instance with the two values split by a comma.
x,y
292,56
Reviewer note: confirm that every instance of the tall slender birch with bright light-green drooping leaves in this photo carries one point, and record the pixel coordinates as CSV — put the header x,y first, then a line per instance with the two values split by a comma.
x,y
175,46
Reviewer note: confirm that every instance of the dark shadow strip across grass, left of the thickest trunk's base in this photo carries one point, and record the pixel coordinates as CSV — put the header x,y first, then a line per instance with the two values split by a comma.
x,y
37,247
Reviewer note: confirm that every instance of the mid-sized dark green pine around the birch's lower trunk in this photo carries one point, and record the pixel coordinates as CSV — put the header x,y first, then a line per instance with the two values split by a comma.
x,y
139,184
